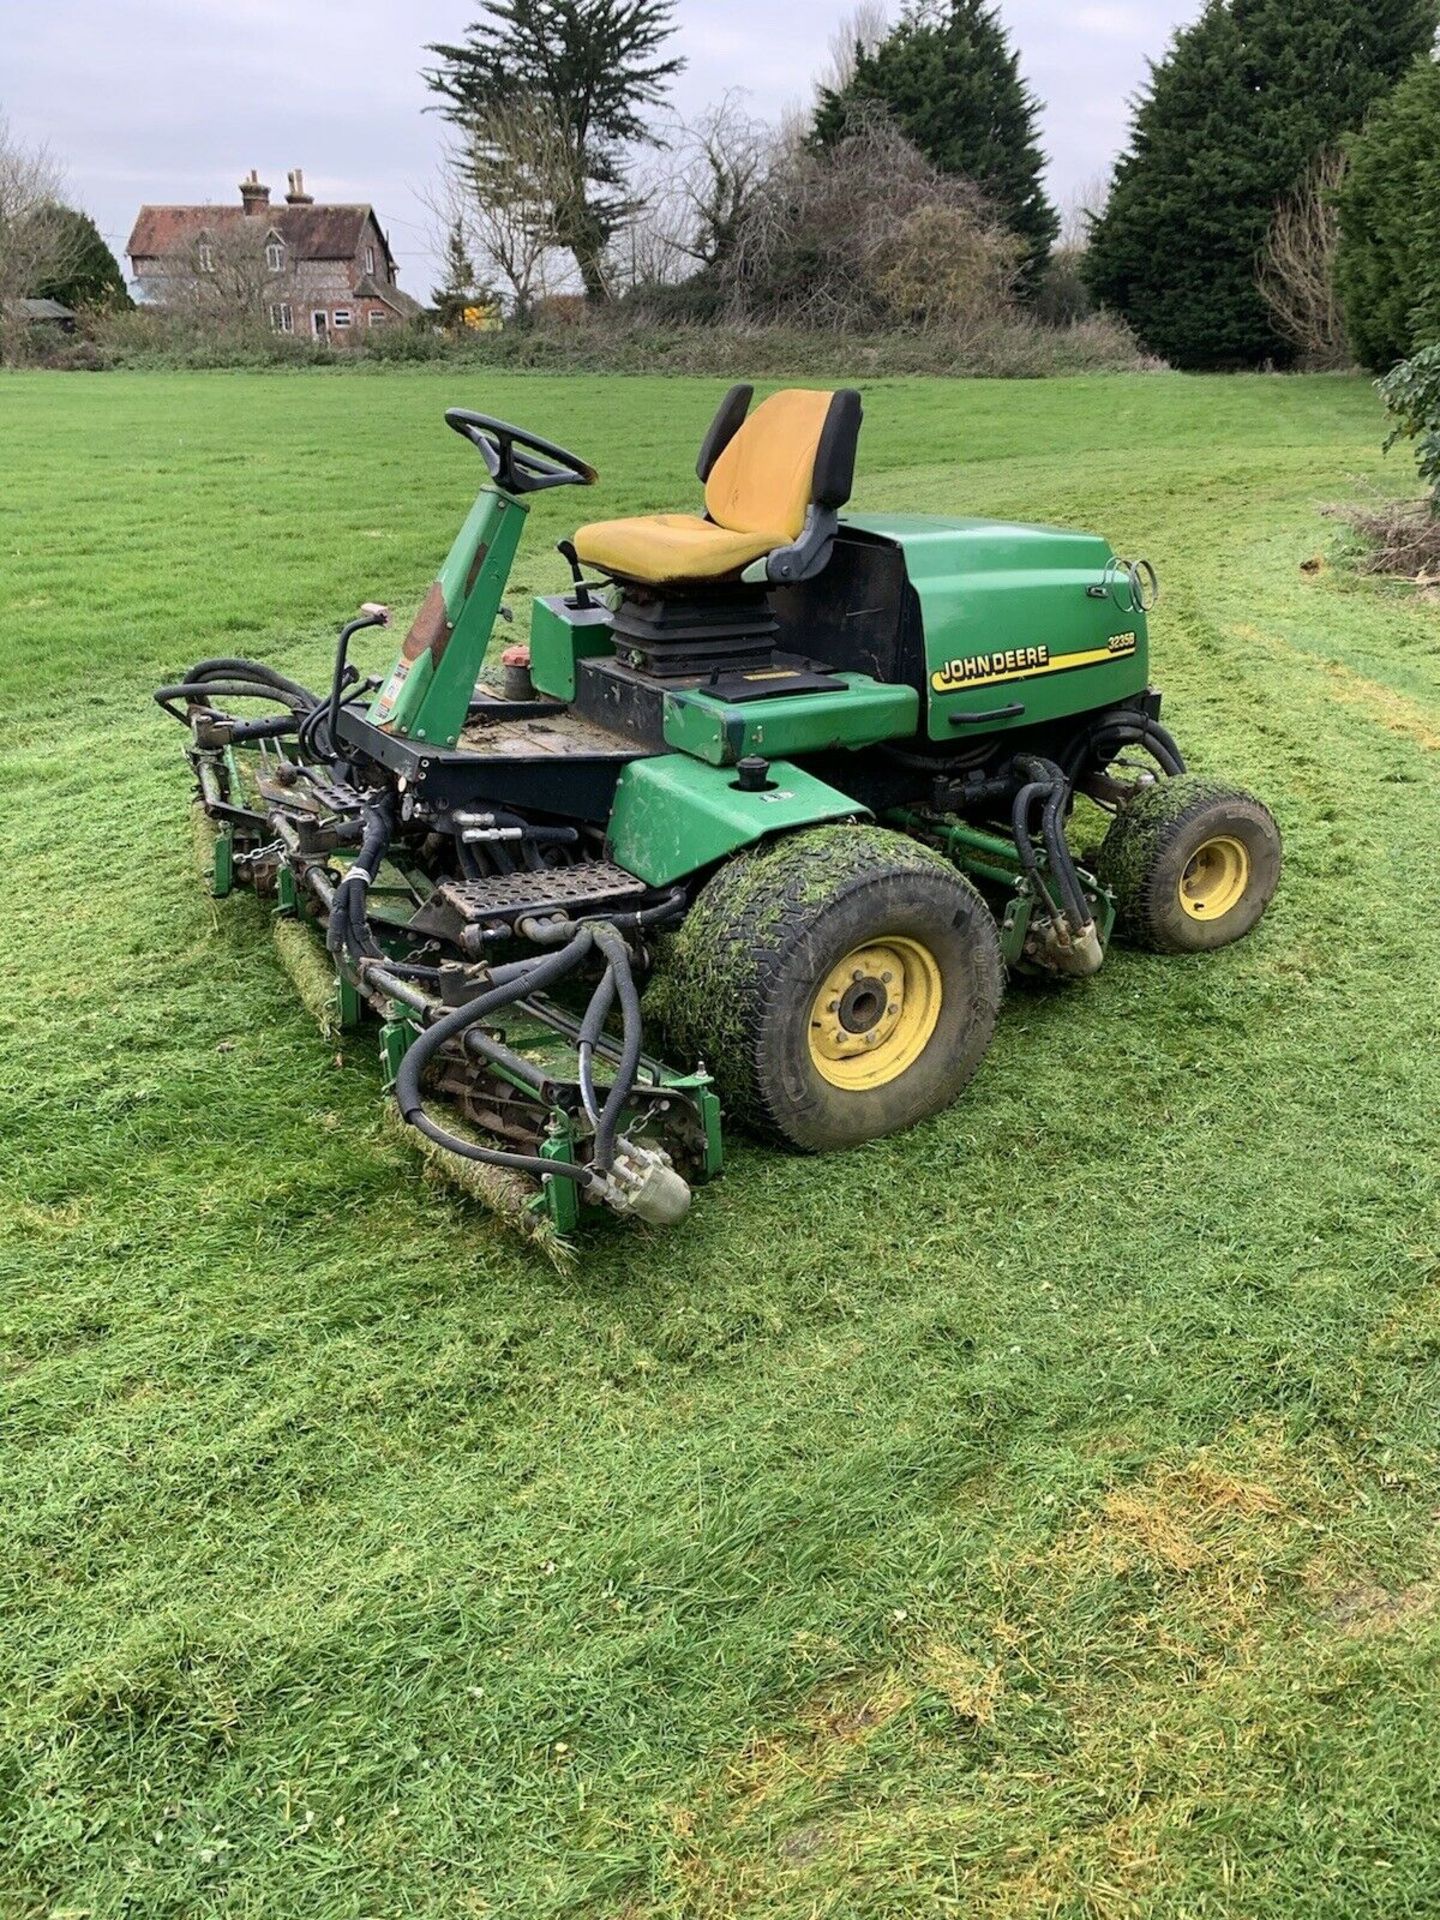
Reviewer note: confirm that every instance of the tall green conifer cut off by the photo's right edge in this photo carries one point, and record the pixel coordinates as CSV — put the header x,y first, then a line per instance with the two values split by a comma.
x,y
1389,258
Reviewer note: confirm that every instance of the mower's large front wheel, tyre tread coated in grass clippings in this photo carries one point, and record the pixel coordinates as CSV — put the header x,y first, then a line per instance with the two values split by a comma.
x,y
840,984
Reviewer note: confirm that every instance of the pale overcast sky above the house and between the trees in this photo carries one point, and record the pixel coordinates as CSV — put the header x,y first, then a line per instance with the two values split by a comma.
x,y
174,101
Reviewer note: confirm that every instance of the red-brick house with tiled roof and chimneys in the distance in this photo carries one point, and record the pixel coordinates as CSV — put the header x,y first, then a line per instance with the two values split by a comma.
x,y
316,270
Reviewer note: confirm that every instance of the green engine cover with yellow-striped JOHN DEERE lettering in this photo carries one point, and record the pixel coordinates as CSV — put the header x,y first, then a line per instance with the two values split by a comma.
x,y
1022,623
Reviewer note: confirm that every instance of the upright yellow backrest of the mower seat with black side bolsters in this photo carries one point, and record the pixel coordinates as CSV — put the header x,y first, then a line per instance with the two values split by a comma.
x,y
794,452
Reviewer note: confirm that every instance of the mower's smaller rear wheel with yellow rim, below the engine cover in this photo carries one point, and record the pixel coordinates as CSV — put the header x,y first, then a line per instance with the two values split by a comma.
x,y
1193,865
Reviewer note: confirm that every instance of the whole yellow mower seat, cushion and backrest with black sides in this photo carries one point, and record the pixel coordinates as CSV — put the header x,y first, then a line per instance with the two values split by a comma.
x,y
761,483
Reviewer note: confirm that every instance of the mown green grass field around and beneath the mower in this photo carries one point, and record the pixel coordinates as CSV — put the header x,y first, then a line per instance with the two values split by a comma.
x,y
1030,1516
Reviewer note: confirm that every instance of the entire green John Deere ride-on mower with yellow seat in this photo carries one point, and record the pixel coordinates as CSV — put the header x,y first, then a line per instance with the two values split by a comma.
x,y
807,773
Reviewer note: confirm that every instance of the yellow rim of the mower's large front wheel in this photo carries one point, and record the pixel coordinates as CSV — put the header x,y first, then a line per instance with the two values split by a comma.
x,y
875,1015
